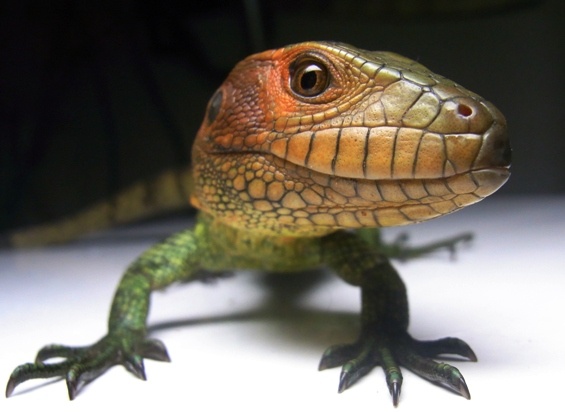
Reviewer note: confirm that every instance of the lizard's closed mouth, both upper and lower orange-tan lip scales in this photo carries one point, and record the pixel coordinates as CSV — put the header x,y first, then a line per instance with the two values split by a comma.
x,y
412,182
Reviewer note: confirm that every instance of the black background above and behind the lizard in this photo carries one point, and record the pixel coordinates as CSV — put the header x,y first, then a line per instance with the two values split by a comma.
x,y
95,95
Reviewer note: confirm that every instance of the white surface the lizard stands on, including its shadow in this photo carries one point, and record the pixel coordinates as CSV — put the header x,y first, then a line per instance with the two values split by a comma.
x,y
233,348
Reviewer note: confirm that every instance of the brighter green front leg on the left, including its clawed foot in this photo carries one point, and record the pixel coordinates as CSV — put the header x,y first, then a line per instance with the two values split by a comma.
x,y
126,343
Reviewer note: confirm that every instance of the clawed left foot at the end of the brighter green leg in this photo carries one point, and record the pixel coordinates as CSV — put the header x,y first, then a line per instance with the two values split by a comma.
x,y
82,365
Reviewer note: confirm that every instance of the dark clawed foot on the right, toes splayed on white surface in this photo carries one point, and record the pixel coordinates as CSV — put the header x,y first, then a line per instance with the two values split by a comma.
x,y
377,349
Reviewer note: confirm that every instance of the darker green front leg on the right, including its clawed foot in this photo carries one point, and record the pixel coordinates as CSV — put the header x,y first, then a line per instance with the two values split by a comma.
x,y
384,340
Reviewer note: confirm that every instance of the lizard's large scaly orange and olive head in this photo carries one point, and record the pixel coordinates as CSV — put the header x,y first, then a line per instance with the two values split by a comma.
x,y
316,137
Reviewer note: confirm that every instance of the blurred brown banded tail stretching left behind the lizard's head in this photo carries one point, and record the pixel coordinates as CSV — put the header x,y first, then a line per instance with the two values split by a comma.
x,y
167,192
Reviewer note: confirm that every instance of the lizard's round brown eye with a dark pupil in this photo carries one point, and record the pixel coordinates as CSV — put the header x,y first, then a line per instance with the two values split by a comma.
x,y
309,77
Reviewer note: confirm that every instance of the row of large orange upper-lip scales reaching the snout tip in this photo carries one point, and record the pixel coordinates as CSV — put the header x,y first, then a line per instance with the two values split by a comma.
x,y
393,153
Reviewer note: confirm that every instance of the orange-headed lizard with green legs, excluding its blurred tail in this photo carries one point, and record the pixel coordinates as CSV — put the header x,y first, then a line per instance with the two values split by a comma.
x,y
304,153
